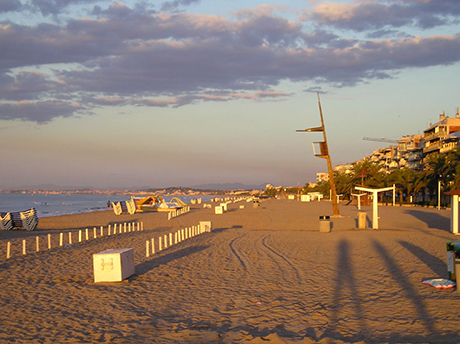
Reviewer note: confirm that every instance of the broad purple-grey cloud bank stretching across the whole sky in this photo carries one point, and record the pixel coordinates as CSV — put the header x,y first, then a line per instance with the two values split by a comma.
x,y
123,55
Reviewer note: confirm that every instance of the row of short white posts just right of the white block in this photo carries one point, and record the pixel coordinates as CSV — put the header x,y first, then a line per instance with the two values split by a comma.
x,y
166,240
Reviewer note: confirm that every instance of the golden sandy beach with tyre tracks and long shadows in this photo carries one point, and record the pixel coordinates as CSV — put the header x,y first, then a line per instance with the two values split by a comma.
x,y
263,275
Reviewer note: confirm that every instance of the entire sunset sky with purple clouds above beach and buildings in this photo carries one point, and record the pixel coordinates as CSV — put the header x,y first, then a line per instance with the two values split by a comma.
x,y
128,94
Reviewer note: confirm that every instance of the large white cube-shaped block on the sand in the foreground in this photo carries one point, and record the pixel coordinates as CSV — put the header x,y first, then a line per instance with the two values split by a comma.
x,y
113,265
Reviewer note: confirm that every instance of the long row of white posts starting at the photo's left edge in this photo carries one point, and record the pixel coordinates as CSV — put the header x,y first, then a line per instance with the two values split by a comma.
x,y
117,229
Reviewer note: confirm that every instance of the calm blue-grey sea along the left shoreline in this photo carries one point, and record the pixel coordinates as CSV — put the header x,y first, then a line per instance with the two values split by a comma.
x,y
64,204
